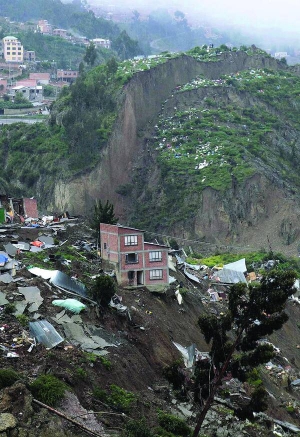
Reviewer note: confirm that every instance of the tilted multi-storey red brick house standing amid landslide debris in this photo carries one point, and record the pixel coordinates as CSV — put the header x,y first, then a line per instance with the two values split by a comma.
x,y
137,262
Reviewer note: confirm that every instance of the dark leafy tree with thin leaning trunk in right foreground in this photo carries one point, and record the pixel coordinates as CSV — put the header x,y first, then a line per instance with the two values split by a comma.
x,y
254,311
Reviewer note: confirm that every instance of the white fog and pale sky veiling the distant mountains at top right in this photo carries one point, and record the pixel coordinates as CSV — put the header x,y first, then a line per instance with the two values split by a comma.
x,y
265,23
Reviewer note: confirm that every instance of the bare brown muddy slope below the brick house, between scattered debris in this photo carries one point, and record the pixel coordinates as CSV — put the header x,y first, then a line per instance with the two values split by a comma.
x,y
136,365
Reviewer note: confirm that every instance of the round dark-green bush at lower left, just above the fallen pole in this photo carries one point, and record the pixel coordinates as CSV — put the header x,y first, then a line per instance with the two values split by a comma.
x,y
48,389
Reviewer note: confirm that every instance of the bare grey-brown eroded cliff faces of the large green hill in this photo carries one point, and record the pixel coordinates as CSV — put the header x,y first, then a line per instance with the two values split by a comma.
x,y
247,214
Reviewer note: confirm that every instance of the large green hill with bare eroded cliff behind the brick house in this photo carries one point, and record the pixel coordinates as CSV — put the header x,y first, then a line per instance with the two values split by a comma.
x,y
202,146
